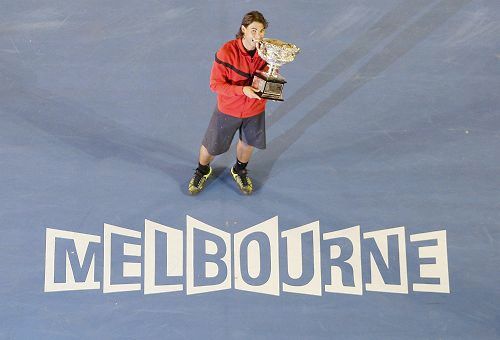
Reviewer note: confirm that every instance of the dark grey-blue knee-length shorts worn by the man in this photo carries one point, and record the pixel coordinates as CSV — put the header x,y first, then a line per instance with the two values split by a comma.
x,y
222,128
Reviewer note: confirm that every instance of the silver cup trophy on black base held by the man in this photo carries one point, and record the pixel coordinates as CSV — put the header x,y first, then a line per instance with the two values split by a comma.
x,y
276,53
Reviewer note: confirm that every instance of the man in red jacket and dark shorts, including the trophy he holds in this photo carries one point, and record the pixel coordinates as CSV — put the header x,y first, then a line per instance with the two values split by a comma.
x,y
243,81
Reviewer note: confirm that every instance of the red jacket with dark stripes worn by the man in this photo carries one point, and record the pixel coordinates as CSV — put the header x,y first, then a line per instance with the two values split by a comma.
x,y
233,69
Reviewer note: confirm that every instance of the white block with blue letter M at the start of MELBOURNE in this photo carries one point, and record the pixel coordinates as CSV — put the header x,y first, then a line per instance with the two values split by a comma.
x,y
70,261
